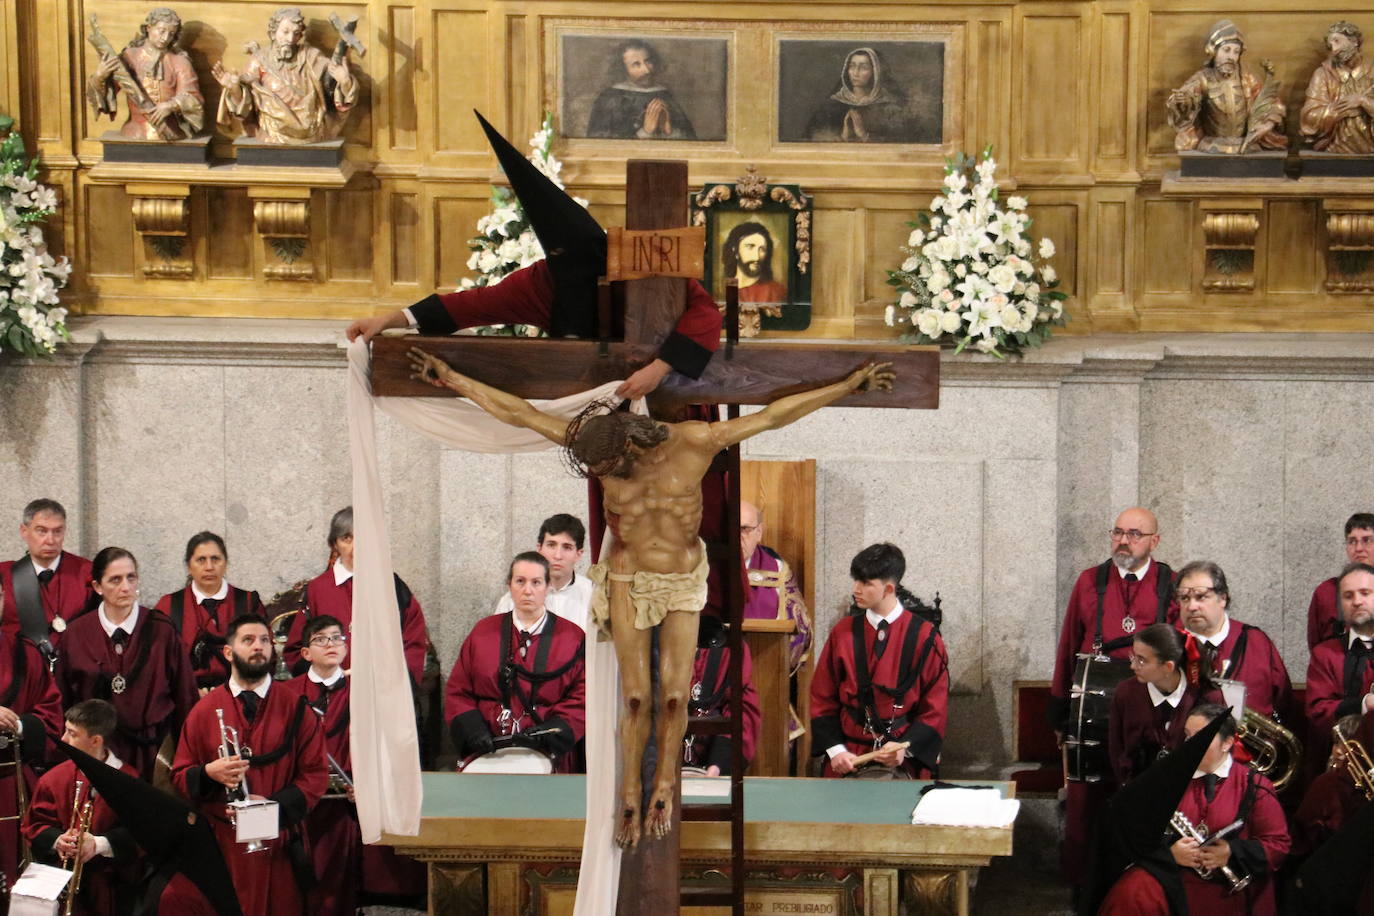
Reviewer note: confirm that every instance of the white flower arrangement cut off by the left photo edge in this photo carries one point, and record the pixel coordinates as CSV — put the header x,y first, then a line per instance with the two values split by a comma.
x,y
32,323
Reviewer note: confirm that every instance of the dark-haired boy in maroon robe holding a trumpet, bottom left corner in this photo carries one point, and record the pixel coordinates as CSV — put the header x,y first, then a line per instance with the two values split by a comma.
x,y
108,851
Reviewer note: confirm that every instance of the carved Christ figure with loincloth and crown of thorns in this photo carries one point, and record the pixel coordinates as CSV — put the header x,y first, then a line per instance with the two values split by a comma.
x,y
655,571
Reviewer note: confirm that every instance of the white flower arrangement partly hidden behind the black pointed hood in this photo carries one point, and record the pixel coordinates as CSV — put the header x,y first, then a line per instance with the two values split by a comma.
x,y
505,240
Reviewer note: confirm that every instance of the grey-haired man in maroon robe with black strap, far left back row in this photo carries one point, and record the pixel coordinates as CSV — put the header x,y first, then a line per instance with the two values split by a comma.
x,y
61,580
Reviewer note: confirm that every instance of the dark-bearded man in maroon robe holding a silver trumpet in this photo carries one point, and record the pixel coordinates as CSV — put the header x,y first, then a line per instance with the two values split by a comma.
x,y
286,766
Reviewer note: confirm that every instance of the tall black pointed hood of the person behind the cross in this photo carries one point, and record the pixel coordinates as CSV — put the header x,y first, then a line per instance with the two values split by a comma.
x,y
574,242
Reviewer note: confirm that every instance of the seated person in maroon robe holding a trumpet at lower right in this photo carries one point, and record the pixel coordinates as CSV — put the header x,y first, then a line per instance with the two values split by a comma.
x,y
1225,792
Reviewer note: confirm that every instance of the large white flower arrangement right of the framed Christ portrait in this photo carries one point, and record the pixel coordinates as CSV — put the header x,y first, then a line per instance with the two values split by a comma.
x,y
969,278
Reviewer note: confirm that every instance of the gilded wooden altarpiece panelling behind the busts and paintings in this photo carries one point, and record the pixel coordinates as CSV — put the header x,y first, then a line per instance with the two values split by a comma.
x,y
1071,97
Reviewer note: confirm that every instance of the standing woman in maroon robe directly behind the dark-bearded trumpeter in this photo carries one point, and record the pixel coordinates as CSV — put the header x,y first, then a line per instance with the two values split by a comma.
x,y
207,605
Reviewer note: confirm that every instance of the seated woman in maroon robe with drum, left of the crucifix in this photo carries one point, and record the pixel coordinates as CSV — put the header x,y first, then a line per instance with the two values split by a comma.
x,y
520,672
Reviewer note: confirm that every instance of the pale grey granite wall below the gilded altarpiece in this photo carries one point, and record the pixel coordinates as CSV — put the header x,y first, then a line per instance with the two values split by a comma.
x,y
1251,448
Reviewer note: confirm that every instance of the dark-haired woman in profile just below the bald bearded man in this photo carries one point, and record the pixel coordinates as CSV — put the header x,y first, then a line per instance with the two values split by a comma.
x,y
1149,712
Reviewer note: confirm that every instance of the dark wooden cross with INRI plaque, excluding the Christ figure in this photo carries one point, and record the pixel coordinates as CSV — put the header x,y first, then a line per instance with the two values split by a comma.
x,y
759,373
